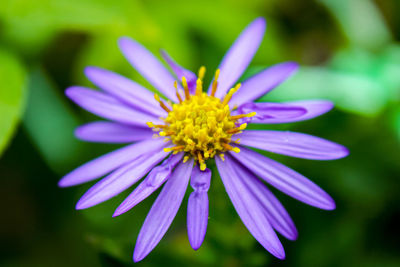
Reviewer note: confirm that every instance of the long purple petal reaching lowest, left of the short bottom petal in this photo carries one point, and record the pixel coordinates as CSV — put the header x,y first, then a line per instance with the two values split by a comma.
x,y
163,211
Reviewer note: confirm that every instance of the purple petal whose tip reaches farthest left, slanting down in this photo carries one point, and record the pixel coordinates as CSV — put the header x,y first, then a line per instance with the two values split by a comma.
x,y
109,162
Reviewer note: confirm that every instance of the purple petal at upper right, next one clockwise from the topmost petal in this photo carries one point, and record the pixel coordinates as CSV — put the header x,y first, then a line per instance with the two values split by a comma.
x,y
263,82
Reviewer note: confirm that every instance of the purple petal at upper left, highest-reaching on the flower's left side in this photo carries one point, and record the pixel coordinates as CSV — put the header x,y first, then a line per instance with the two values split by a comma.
x,y
149,66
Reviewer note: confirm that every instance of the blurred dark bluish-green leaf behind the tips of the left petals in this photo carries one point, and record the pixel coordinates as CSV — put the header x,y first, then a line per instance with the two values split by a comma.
x,y
51,123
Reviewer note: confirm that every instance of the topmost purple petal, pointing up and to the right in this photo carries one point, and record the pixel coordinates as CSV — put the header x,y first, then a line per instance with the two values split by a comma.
x,y
239,56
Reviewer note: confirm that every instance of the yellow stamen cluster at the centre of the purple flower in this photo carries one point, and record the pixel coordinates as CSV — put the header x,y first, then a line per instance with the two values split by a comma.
x,y
201,124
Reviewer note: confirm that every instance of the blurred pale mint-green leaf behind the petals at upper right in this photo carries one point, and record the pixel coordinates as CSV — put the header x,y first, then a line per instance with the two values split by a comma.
x,y
351,92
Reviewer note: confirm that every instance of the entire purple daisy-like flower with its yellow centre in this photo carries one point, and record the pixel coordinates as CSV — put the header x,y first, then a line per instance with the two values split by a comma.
x,y
188,130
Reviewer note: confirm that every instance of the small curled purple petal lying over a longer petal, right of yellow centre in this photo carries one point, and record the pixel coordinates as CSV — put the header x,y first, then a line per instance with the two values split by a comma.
x,y
271,112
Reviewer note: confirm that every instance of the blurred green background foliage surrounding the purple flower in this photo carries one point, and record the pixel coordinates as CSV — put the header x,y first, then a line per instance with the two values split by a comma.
x,y
349,51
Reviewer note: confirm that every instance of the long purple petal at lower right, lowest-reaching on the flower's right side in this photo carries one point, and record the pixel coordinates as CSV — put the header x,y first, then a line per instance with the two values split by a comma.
x,y
248,207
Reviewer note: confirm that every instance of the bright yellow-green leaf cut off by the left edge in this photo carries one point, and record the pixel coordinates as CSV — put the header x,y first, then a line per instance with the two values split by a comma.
x,y
12,95
